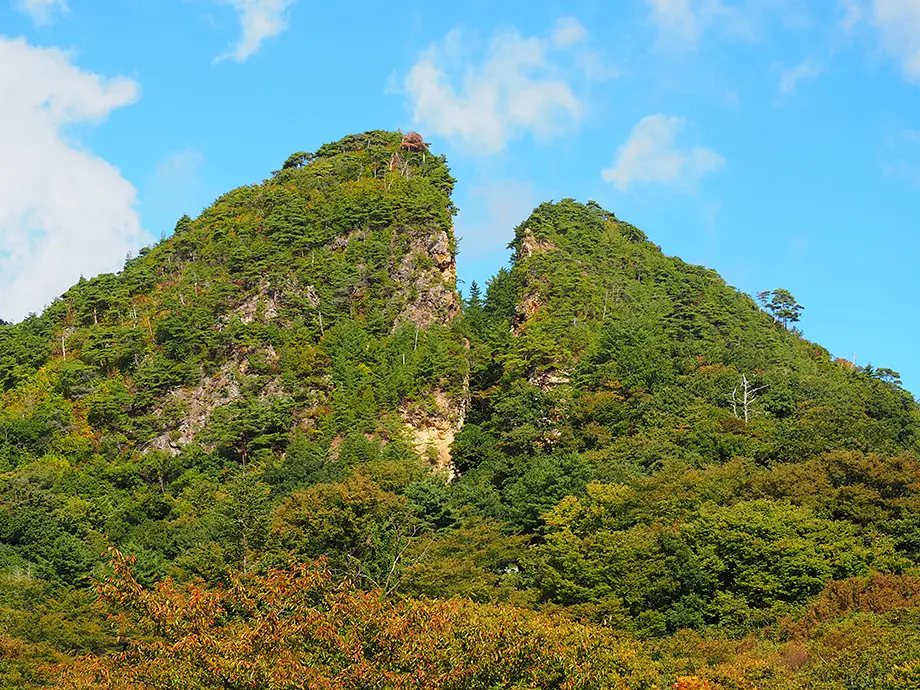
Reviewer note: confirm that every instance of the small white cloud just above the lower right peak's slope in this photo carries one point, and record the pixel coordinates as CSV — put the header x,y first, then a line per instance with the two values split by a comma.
x,y
651,155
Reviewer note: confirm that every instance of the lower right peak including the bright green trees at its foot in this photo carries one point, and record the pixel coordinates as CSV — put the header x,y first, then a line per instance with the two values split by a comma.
x,y
609,378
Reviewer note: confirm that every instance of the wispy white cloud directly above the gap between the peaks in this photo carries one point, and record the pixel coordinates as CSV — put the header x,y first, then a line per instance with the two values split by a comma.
x,y
482,104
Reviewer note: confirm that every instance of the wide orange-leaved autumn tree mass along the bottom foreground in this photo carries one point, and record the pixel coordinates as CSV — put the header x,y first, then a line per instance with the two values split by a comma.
x,y
299,628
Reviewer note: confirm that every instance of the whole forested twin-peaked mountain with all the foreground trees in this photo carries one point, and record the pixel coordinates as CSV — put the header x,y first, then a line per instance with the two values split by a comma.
x,y
279,450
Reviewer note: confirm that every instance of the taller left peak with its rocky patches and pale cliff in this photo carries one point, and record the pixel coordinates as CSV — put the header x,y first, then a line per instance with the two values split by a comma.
x,y
295,328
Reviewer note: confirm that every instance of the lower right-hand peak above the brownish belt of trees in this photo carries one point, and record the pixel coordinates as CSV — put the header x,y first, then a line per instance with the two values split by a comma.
x,y
592,314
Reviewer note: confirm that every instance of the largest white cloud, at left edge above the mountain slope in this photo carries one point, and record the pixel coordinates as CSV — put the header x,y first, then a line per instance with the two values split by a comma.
x,y
63,211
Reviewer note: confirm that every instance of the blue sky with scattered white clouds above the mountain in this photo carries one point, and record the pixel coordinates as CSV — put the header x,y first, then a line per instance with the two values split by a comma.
x,y
777,141
